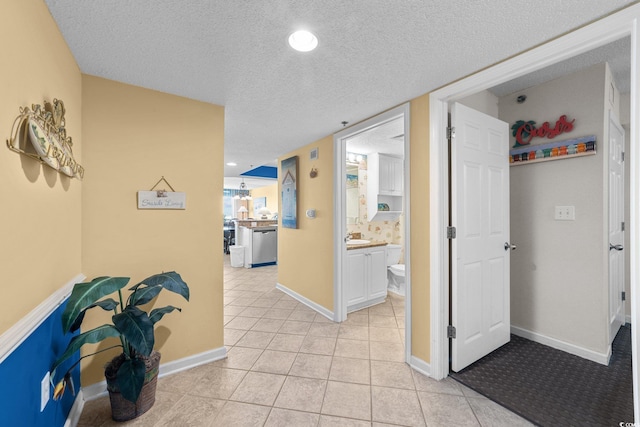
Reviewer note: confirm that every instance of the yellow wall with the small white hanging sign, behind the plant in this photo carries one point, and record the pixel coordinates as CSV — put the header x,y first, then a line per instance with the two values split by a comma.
x,y
132,137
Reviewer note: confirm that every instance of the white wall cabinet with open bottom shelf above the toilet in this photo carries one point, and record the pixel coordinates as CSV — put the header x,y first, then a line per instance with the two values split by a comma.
x,y
385,177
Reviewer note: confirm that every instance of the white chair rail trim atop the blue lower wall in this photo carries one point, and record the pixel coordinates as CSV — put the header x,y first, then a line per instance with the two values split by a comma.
x,y
15,335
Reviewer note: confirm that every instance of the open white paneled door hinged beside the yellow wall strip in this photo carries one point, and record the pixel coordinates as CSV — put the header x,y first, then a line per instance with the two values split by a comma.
x,y
481,249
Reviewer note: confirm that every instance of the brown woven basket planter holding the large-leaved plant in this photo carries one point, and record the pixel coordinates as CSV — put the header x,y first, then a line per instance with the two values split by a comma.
x,y
121,408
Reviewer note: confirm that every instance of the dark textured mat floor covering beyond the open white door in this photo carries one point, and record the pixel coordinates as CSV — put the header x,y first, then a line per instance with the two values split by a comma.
x,y
550,387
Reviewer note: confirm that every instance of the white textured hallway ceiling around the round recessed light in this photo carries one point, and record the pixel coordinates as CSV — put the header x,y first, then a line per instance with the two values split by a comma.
x,y
372,55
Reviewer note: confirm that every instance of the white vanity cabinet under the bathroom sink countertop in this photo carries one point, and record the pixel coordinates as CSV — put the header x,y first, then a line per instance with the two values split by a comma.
x,y
366,277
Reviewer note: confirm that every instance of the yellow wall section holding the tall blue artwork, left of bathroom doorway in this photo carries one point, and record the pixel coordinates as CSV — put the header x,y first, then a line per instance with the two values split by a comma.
x,y
305,254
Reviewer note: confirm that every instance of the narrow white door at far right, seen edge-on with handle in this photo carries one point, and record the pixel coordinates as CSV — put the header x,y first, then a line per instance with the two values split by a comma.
x,y
616,228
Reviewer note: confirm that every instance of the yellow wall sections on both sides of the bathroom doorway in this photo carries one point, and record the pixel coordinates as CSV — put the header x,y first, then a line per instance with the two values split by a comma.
x,y
305,256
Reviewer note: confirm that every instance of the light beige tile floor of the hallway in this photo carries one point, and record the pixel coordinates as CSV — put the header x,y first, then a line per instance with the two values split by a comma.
x,y
289,366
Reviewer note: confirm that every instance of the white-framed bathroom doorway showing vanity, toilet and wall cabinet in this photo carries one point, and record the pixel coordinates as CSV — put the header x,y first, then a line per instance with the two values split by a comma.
x,y
371,228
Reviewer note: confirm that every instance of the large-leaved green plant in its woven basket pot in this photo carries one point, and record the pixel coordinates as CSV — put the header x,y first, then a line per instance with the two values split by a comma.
x,y
131,376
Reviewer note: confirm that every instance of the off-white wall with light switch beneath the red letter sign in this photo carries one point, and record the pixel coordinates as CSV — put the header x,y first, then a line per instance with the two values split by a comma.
x,y
559,279
